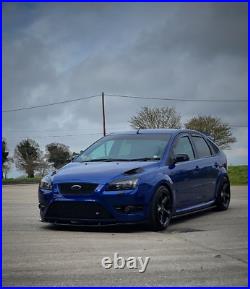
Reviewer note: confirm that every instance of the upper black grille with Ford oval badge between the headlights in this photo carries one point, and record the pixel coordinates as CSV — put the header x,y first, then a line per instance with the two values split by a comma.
x,y
77,188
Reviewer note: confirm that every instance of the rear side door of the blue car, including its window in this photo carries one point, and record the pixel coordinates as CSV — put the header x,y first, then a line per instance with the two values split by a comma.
x,y
207,169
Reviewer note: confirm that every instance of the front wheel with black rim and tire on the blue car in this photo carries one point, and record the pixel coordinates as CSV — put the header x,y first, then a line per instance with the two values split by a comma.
x,y
160,209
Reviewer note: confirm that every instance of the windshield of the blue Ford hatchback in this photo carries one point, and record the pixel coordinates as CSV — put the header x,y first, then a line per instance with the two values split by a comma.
x,y
136,147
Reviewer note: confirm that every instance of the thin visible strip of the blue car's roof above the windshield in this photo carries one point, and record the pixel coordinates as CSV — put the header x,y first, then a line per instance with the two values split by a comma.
x,y
171,131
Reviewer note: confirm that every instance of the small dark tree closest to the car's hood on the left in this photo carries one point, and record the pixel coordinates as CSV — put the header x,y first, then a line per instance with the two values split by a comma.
x,y
58,154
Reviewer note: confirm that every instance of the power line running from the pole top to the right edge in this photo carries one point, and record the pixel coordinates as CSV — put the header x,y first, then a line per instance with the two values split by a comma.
x,y
177,99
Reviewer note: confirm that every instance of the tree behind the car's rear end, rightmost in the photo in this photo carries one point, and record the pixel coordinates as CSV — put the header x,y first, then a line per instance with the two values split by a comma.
x,y
215,127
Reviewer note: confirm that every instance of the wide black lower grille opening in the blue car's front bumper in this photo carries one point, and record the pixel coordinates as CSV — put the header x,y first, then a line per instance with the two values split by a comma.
x,y
77,210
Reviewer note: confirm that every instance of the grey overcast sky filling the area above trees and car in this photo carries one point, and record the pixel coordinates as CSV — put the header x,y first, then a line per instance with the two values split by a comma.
x,y
58,51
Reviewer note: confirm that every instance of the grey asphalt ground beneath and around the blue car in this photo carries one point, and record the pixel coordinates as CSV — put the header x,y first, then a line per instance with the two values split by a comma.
x,y
208,249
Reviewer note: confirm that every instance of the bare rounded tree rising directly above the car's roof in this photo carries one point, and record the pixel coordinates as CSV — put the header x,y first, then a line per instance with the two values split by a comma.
x,y
163,117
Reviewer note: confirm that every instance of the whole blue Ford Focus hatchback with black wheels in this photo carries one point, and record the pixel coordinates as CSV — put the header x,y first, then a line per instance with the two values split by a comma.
x,y
145,176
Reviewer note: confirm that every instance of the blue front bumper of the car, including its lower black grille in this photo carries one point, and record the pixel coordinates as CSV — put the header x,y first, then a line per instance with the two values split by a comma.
x,y
98,208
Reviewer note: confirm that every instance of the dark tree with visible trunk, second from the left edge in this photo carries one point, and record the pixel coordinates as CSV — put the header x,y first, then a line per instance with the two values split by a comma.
x,y
27,156
